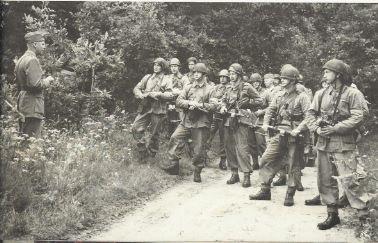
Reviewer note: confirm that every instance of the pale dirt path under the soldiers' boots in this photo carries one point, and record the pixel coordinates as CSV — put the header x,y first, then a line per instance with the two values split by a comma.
x,y
214,211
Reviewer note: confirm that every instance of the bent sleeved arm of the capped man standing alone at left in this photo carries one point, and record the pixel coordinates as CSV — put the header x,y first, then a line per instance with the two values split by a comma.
x,y
33,73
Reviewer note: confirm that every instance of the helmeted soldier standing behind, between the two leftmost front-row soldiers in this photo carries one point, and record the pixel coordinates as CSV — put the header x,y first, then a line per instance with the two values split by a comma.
x,y
175,79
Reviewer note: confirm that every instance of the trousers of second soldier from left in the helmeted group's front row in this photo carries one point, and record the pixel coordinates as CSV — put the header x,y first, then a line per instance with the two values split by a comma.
x,y
181,135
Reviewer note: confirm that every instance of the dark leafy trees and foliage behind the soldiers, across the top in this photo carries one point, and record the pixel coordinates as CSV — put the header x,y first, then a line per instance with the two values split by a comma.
x,y
260,36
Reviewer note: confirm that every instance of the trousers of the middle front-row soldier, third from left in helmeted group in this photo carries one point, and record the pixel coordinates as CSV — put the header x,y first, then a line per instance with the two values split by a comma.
x,y
237,148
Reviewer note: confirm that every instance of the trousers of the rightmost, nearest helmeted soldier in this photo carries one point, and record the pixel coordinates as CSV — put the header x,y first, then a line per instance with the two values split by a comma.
x,y
343,164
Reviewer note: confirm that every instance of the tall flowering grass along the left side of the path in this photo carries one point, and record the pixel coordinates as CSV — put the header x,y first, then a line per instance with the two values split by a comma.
x,y
65,182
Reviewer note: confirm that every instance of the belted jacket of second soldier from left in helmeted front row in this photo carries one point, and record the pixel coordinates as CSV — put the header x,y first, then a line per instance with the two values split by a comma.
x,y
199,93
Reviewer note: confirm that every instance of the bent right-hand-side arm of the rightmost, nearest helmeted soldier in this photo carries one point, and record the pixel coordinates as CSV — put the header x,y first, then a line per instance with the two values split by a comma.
x,y
356,107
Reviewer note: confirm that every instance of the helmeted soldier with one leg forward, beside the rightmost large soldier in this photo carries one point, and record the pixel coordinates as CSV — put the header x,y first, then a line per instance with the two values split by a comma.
x,y
288,109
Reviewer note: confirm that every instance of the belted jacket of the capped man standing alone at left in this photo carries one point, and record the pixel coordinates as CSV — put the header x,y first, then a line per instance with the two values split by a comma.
x,y
28,73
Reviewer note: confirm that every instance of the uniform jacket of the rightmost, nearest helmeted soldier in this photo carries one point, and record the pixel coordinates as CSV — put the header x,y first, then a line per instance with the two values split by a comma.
x,y
351,112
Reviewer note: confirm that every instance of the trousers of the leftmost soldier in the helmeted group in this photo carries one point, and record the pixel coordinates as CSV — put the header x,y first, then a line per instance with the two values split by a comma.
x,y
142,121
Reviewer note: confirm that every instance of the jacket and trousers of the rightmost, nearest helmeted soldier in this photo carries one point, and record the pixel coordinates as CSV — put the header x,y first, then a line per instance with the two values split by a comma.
x,y
337,151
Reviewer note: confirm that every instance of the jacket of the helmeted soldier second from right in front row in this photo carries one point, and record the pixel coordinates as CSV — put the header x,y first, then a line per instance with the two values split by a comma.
x,y
288,109
